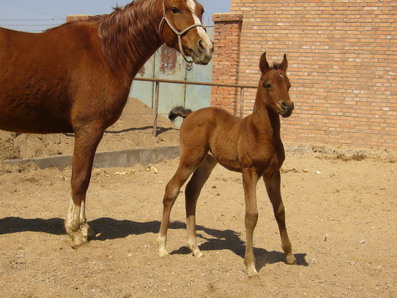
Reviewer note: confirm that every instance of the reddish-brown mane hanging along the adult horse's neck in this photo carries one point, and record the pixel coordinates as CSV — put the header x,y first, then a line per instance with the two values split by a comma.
x,y
126,33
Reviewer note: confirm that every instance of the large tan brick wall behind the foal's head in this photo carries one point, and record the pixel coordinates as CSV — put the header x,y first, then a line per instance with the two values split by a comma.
x,y
342,65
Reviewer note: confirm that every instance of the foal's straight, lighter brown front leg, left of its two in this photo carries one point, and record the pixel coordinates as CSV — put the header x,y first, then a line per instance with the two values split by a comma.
x,y
250,180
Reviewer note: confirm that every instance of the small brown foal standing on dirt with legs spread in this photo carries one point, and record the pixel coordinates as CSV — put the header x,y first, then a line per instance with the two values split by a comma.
x,y
251,146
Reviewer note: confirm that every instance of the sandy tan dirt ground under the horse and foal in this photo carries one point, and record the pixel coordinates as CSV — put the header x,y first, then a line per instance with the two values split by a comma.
x,y
341,217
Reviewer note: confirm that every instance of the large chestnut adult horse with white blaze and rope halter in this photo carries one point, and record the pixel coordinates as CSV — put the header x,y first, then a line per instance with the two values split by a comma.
x,y
76,78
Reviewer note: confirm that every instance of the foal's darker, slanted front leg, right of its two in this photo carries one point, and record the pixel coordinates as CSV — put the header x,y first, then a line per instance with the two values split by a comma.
x,y
273,189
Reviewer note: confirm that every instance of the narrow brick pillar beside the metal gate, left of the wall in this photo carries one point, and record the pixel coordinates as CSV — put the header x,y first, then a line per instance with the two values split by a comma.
x,y
226,60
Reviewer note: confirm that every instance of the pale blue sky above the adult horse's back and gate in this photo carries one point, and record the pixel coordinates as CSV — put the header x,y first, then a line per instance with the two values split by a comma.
x,y
39,15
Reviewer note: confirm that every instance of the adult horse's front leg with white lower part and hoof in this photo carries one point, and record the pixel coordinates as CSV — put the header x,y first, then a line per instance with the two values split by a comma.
x,y
86,142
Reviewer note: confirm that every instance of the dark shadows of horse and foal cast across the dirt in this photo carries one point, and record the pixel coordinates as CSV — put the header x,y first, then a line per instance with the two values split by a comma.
x,y
109,229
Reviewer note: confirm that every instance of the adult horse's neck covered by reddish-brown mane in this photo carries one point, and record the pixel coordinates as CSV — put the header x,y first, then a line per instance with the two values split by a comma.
x,y
130,36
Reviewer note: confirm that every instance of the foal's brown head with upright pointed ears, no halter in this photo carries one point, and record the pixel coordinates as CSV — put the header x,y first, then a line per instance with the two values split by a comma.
x,y
274,86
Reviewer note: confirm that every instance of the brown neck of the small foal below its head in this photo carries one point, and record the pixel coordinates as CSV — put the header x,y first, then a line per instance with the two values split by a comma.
x,y
264,119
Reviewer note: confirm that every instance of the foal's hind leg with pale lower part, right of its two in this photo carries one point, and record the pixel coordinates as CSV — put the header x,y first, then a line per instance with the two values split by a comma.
x,y
192,193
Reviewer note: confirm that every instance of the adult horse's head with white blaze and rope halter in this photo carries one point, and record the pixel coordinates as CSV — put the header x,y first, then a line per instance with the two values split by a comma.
x,y
181,28
